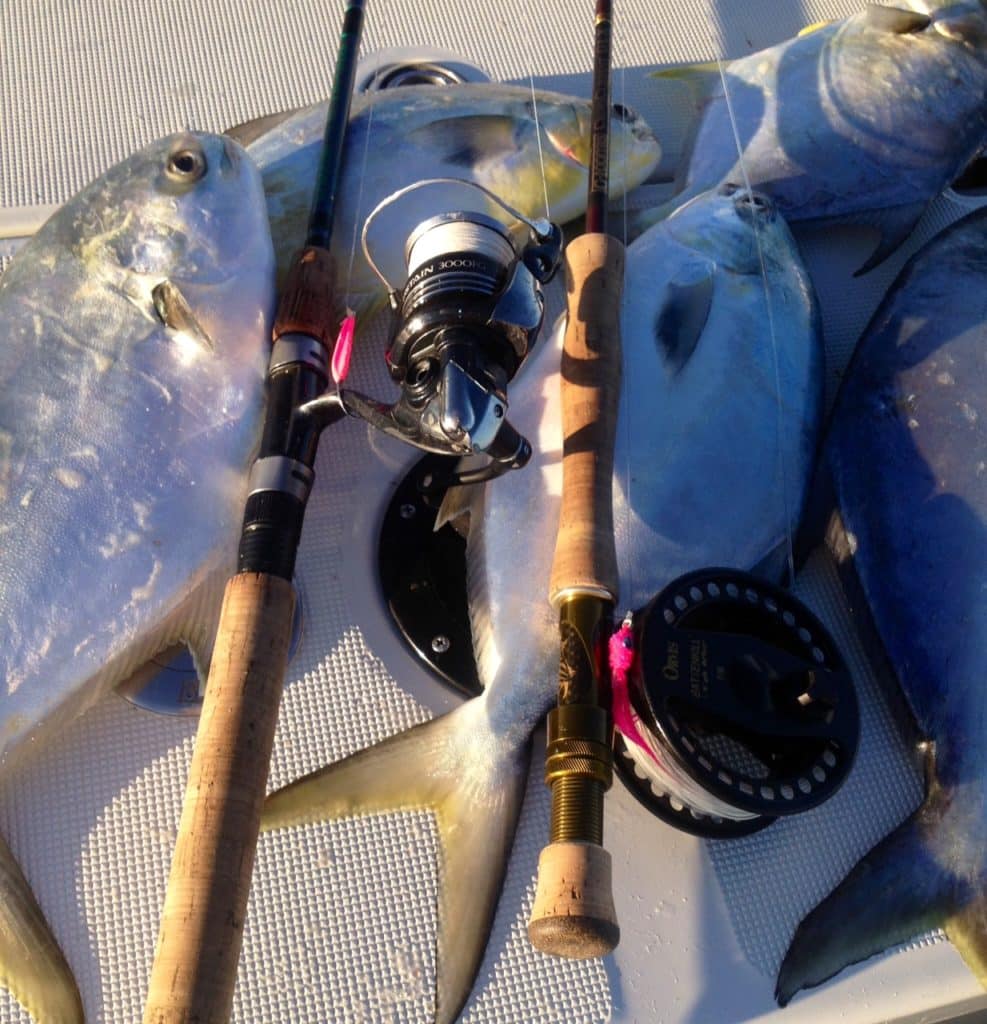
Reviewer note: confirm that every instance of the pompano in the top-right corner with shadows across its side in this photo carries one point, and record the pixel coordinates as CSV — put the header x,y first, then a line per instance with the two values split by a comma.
x,y
869,118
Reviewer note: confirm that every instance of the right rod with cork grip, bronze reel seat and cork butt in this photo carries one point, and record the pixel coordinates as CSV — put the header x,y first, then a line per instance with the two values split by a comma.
x,y
574,914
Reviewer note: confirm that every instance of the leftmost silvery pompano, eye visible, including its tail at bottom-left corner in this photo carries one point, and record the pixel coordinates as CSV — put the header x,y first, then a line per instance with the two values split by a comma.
x,y
134,332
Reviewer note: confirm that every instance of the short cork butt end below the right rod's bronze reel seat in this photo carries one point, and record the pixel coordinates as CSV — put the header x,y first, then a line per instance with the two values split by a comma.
x,y
574,914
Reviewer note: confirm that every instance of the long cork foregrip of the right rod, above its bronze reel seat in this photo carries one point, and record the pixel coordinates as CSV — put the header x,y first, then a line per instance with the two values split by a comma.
x,y
585,553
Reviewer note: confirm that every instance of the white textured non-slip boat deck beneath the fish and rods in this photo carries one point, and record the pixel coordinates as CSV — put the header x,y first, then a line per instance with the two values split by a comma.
x,y
341,923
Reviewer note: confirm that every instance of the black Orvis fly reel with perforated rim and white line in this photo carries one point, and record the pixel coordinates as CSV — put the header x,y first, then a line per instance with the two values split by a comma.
x,y
744,703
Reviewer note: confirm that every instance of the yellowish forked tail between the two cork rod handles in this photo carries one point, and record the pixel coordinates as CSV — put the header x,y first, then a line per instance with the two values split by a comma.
x,y
446,765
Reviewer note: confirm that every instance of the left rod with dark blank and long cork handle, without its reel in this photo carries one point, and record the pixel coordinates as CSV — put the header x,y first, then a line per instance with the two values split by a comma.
x,y
195,968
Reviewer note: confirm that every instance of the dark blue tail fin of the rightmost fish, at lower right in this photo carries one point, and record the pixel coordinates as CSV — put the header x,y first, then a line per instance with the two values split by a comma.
x,y
897,891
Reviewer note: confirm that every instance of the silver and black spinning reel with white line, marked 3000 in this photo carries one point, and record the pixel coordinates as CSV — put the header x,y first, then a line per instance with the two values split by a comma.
x,y
465,320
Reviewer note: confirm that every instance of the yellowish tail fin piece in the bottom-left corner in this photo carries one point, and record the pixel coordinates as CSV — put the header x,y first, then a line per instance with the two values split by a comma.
x,y
32,967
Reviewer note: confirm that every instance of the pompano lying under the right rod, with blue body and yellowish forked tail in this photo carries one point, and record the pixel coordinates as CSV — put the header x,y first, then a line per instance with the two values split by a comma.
x,y
711,414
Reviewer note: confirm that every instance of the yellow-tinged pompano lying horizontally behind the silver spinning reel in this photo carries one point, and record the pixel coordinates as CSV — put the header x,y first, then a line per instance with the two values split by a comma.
x,y
528,148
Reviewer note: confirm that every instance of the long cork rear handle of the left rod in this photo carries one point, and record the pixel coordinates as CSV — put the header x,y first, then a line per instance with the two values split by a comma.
x,y
195,969
